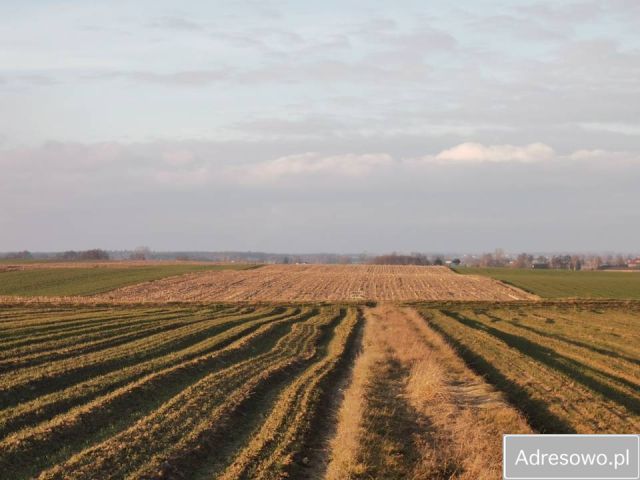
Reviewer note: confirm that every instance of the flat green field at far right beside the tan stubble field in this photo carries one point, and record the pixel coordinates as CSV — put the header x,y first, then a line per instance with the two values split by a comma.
x,y
620,285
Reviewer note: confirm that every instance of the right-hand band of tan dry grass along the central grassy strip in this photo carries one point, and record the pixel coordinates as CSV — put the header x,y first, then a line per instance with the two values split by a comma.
x,y
467,416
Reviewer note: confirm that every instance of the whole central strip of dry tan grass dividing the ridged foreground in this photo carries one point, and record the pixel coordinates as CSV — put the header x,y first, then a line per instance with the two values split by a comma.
x,y
414,410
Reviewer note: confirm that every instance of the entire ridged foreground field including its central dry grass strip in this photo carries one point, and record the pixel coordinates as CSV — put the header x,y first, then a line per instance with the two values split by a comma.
x,y
239,391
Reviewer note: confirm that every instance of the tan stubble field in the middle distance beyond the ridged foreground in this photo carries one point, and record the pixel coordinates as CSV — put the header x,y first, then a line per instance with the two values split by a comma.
x,y
316,283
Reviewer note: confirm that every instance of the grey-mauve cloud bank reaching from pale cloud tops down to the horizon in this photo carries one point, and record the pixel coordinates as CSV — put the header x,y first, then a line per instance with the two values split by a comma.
x,y
208,195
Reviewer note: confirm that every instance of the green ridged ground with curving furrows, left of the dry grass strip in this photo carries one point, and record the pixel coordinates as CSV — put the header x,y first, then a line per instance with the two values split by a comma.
x,y
166,392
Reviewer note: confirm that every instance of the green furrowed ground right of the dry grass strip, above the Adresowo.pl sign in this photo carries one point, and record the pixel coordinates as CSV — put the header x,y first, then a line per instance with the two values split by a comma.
x,y
568,369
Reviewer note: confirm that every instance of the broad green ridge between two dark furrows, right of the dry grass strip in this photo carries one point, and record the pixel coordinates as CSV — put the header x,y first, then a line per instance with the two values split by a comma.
x,y
532,383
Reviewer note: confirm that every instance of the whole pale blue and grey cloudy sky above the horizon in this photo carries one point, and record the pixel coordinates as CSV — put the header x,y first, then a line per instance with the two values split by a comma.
x,y
291,126
